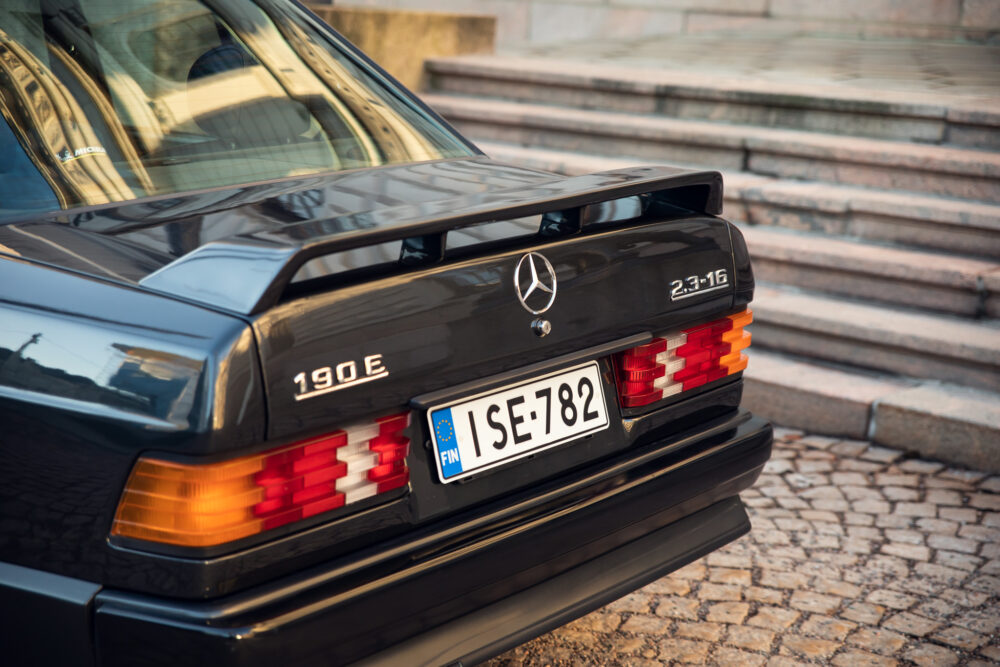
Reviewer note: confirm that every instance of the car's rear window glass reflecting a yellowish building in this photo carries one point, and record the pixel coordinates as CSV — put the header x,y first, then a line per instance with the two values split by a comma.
x,y
110,100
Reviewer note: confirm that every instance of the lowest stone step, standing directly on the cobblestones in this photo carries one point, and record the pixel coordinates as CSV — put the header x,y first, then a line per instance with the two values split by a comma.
x,y
948,422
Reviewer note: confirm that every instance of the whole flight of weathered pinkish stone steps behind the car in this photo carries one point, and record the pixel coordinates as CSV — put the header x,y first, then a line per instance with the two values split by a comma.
x,y
873,219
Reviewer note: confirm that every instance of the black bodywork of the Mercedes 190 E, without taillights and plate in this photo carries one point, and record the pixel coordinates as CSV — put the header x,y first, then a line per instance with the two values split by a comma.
x,y
174,326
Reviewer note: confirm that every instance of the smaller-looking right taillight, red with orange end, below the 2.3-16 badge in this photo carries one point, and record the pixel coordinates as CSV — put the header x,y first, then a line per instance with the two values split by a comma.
x,y
680,361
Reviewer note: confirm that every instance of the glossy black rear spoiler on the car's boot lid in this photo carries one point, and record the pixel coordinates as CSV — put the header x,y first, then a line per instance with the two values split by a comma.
x,y
248,274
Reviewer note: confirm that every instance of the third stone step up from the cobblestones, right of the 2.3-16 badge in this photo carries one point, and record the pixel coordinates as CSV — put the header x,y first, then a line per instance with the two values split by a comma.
x,y
874,273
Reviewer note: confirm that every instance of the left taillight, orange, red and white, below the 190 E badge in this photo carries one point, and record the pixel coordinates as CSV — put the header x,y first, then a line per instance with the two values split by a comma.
x,y
201,505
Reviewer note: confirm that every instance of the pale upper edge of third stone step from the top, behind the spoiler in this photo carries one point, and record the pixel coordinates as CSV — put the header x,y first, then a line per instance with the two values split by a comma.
x,y
803,195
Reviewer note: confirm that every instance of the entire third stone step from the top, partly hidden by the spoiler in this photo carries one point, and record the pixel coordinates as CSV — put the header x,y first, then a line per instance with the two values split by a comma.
x,y
919,221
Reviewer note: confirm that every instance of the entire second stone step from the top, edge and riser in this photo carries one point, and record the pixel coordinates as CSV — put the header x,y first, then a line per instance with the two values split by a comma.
x,y
945,171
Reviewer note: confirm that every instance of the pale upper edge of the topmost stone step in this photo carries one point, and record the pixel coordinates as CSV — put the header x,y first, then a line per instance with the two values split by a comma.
x,y
690,85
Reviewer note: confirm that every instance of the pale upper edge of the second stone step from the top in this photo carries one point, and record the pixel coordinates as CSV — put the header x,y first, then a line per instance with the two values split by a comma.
x,y
926,158
